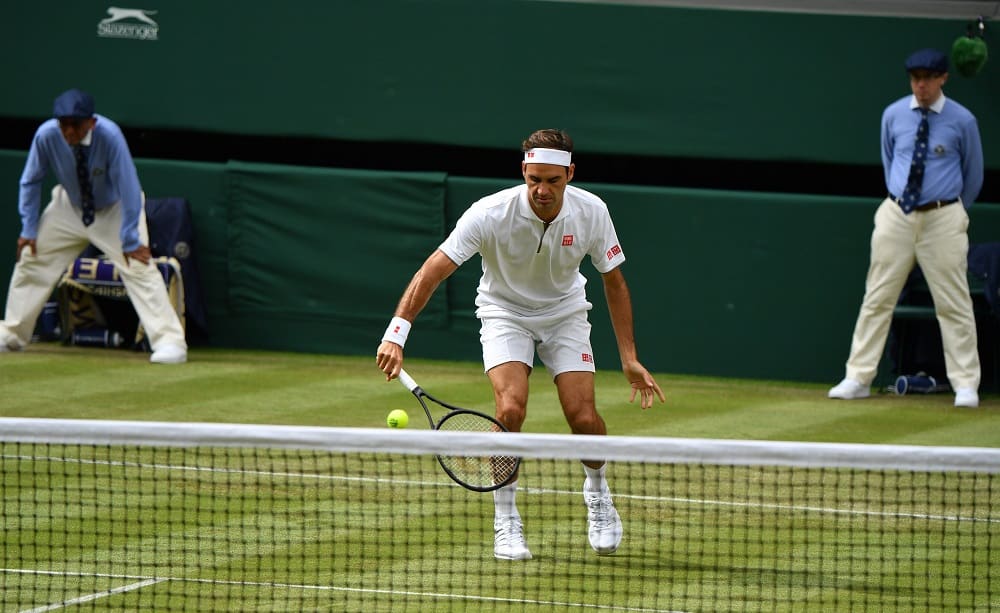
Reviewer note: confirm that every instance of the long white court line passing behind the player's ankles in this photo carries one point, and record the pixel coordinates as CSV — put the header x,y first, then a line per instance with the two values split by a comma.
x,y
529,490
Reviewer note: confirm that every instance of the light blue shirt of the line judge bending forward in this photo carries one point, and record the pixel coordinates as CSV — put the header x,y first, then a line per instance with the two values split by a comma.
x,y
113,176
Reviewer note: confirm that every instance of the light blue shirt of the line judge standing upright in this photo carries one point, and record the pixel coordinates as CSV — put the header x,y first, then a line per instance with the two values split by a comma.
x,y
954,166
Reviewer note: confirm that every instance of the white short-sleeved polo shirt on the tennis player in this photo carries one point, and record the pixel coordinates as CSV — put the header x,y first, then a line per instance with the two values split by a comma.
x,y
529,268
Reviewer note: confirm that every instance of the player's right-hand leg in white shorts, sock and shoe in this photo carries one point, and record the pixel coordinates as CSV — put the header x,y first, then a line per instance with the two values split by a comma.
x,y
567,354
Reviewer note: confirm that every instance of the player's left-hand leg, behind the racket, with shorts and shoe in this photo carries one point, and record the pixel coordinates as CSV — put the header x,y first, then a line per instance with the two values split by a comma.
x,y
508,352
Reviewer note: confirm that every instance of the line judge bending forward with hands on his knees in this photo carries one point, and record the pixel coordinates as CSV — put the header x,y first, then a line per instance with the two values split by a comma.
x,y
98,200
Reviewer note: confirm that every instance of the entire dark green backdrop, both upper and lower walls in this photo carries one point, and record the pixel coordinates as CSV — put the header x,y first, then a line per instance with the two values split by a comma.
x,y
727,283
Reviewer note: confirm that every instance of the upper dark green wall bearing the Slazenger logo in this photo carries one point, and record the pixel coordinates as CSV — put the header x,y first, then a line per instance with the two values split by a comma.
x,y
628,79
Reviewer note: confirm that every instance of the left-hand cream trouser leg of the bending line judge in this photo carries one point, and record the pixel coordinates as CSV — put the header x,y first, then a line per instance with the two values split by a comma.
x,y
60,239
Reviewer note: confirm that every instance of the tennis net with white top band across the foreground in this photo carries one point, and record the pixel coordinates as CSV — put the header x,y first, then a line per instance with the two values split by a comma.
x,y
103,515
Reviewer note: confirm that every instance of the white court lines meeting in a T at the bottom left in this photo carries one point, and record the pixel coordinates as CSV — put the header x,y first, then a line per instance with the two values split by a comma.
x,y
323,588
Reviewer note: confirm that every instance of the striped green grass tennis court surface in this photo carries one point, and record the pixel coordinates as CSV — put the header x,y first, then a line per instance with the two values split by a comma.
x,y
370,533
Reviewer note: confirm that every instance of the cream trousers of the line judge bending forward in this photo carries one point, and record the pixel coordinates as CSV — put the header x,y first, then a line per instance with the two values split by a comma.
x,y
61,238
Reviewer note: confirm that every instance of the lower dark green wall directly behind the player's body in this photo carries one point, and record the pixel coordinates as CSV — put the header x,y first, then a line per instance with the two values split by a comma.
x,y
724,283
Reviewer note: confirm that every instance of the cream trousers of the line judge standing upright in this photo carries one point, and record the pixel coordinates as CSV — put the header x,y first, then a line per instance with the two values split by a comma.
x,y
938,241
